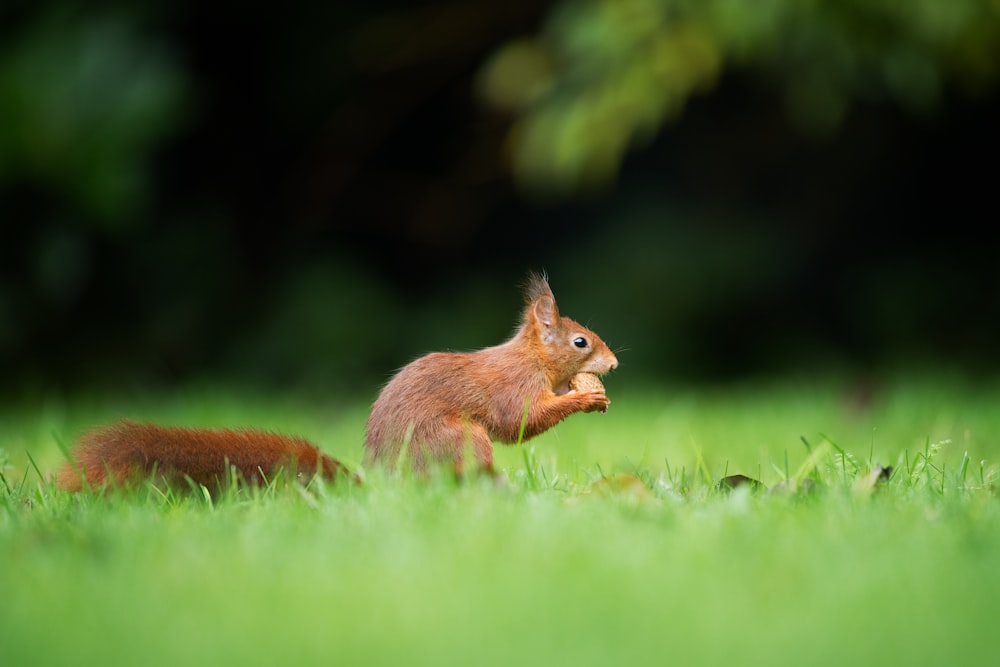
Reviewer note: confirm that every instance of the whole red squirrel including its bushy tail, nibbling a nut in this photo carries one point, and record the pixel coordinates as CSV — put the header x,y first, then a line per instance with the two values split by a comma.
x,y
436,405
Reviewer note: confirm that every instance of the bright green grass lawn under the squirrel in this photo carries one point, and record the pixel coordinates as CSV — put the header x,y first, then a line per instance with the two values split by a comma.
x,y
608,544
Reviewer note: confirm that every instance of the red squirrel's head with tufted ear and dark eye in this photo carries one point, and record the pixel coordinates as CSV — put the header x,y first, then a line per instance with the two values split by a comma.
x,y
567,346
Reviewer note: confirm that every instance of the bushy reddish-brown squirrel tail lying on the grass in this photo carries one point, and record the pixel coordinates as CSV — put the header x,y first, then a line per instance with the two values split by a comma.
x,y
122,453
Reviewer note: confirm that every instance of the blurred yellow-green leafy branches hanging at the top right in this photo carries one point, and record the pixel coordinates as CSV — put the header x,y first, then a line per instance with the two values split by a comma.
x,y
605,75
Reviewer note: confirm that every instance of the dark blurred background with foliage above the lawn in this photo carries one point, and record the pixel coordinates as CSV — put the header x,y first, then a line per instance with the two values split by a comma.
x,y
311,194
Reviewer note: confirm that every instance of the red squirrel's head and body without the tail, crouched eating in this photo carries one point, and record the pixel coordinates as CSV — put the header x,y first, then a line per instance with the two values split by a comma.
x,y
441,403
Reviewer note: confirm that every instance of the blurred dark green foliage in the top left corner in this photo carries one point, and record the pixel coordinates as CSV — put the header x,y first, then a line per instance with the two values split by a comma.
x,y
84,100
